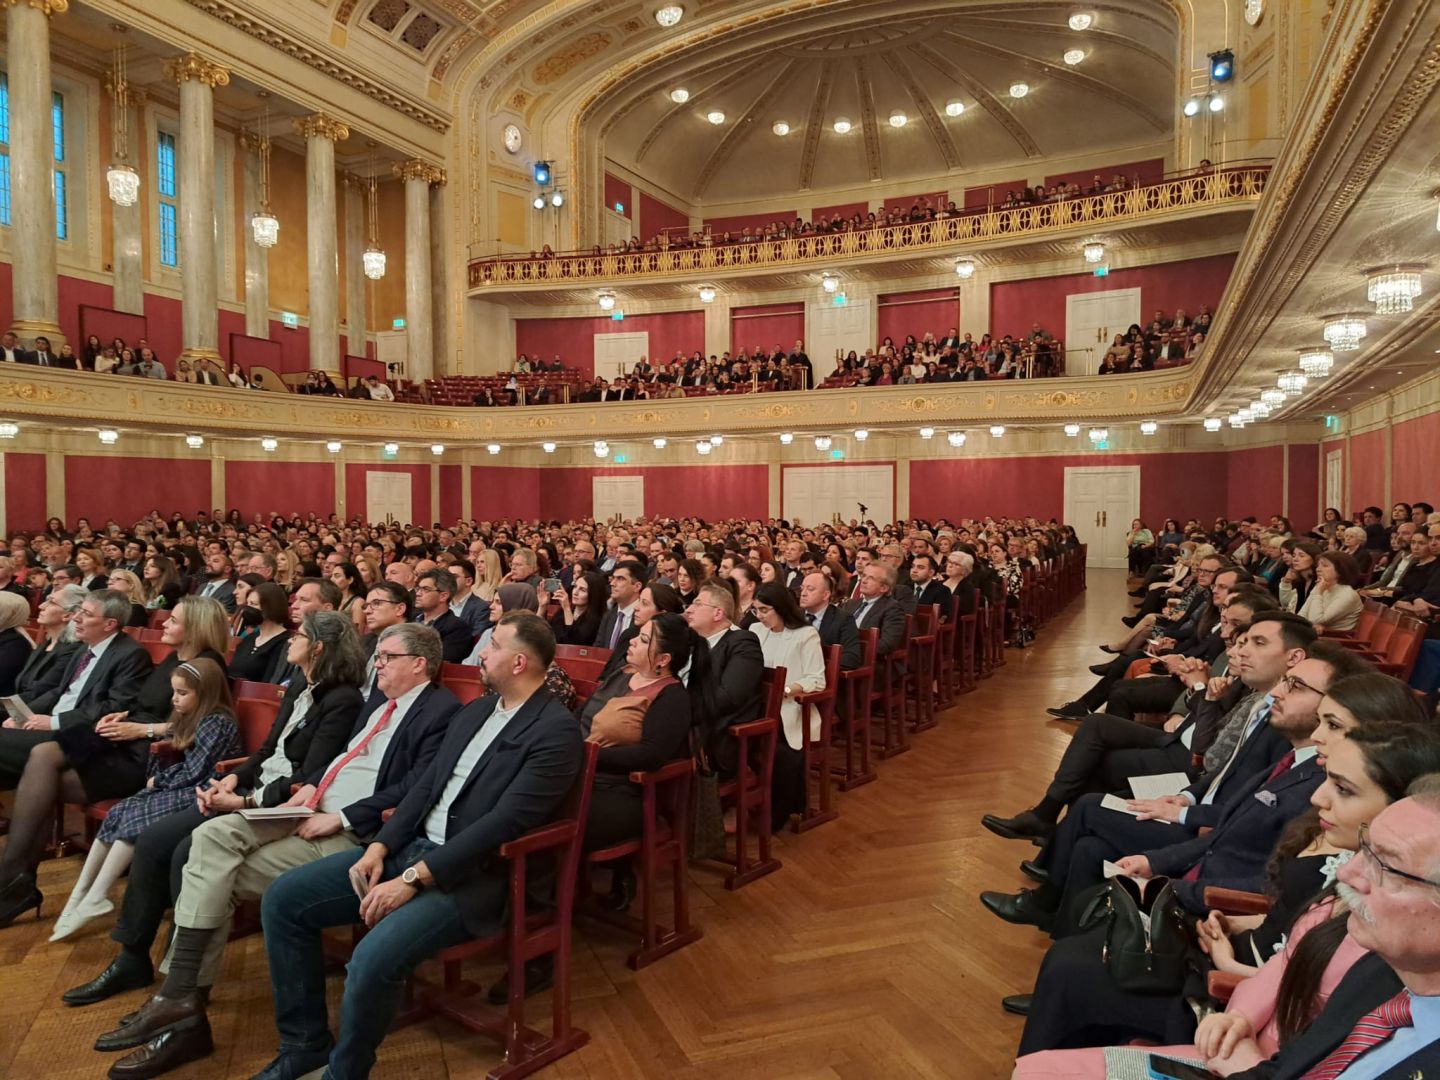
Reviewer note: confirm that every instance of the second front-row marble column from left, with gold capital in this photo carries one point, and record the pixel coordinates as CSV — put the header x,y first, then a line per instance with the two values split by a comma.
x,y
199,271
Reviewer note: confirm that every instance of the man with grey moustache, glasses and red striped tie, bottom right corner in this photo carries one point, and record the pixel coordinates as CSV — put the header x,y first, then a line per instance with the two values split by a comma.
x,y
1385,1017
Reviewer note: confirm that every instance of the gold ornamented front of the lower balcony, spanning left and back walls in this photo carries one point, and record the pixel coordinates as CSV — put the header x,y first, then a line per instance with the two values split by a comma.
x,y
53,398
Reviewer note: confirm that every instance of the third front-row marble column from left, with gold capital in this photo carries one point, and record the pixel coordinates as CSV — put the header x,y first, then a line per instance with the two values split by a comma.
x,y
322,133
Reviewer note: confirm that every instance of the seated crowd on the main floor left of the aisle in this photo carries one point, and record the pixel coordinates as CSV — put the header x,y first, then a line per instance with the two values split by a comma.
x,y
354,626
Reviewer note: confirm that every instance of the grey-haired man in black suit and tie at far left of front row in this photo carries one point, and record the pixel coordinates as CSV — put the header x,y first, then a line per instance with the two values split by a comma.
x,y
104,678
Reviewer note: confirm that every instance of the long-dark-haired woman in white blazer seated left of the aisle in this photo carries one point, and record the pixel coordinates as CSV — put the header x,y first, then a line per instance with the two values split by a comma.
x,y
790,642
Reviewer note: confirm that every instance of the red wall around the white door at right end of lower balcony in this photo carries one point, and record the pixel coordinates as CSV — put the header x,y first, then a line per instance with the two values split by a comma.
x,y
1169,286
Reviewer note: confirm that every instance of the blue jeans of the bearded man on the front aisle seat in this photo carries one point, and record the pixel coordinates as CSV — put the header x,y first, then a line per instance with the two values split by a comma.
x,y
305,902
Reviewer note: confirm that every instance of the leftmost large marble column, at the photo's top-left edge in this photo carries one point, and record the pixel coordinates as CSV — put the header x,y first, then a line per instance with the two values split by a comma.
x,y
32,162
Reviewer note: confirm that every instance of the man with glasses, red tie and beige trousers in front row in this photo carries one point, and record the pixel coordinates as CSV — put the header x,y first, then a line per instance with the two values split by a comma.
x,y
231,859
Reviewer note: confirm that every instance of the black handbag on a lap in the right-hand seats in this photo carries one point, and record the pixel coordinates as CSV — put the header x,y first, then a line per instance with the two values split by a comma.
x,y
1148,935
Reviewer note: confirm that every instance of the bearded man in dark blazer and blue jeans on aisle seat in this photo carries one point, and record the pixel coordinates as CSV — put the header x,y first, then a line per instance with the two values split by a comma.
x,y
433,878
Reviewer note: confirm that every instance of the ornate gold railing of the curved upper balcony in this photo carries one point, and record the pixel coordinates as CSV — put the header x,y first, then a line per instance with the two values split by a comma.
x,y
1219,191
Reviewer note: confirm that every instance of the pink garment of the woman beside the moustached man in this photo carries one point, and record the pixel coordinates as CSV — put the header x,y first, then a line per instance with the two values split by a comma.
x,y
1255,997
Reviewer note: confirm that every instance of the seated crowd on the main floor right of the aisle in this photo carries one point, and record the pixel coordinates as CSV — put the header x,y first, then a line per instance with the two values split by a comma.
x,y
1242,739
